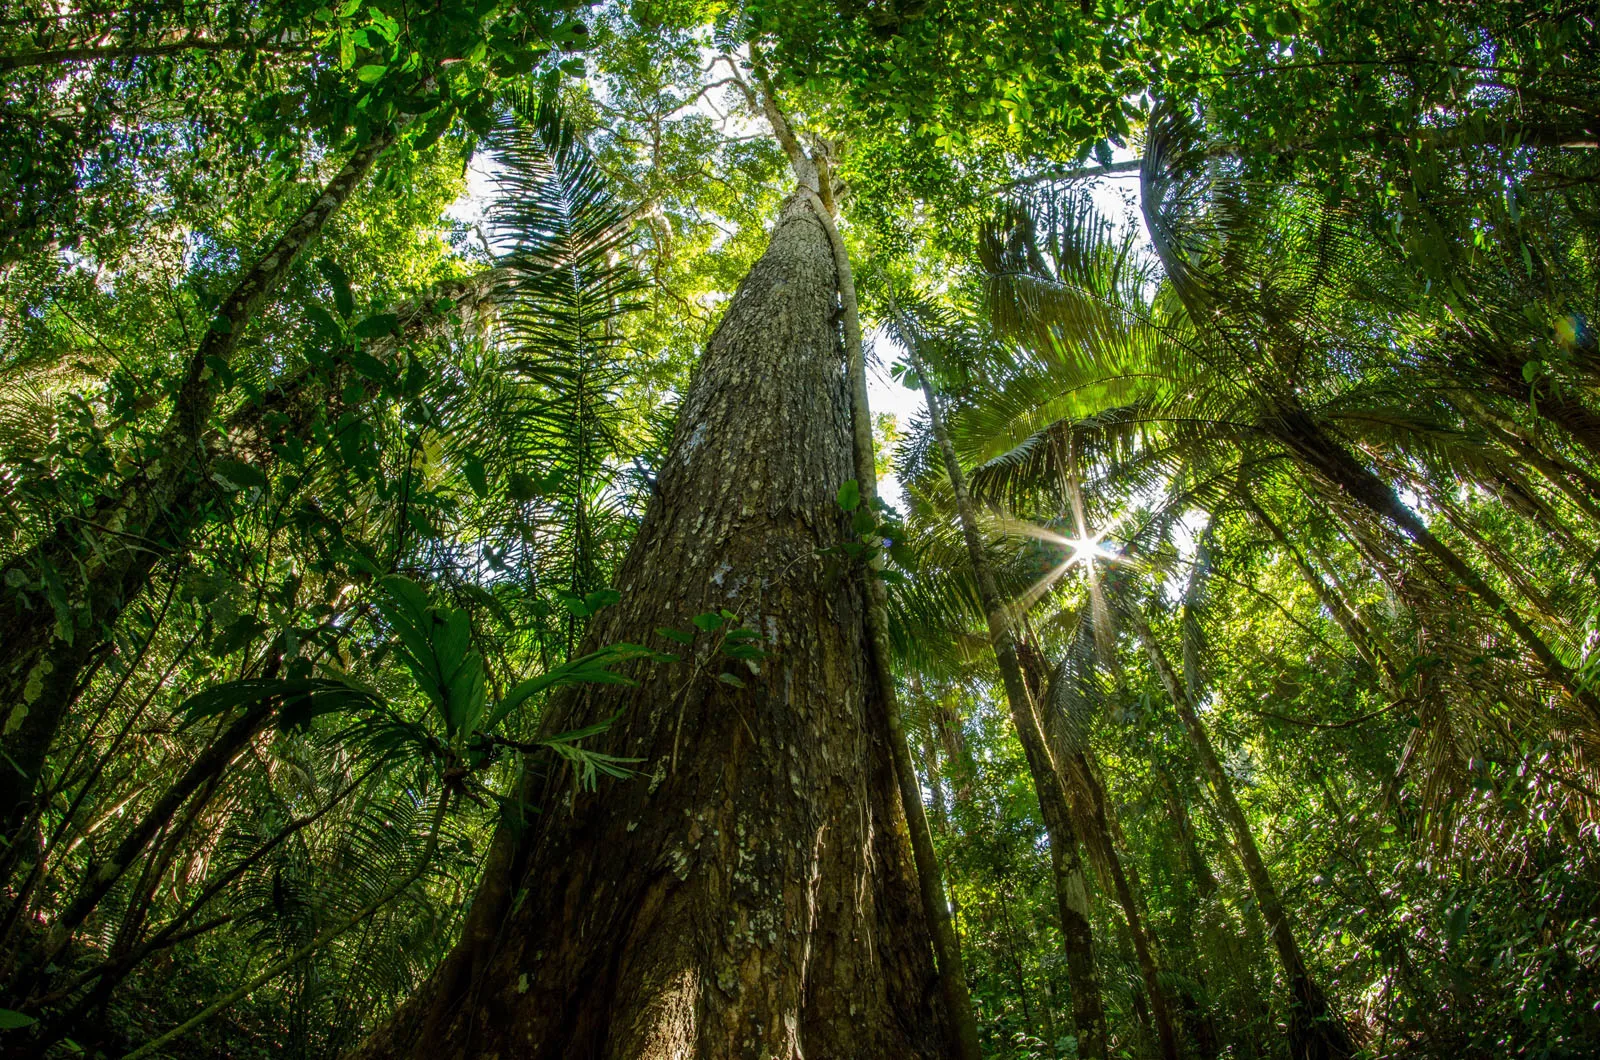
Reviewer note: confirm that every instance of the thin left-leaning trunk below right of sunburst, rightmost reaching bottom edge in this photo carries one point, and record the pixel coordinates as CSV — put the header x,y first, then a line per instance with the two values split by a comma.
x,y
1316,1032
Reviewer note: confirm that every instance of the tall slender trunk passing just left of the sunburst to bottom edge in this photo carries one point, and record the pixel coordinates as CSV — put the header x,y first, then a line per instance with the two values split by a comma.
x,y
1068,867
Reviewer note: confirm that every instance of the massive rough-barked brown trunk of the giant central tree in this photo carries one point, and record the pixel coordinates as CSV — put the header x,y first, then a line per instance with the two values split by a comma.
x,y
751,894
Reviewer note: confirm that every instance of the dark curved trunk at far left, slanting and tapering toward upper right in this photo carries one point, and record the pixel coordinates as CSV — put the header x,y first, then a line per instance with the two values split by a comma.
x,y
60,598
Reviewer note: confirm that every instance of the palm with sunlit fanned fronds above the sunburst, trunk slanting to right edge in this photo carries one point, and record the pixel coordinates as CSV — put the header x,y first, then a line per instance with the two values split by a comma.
x,y
1234,364
